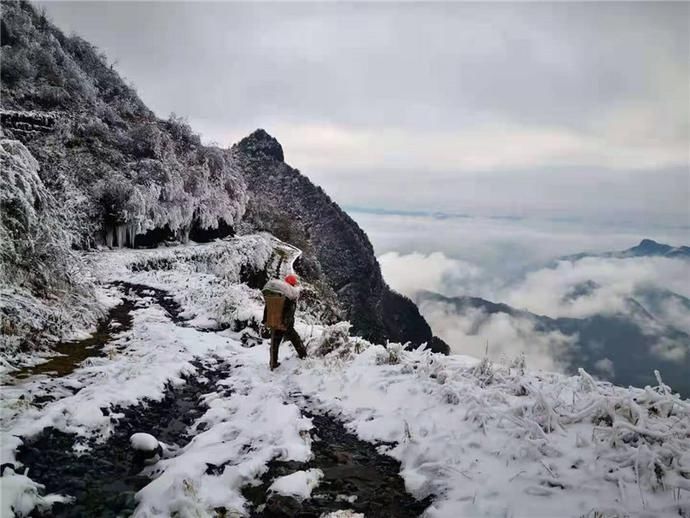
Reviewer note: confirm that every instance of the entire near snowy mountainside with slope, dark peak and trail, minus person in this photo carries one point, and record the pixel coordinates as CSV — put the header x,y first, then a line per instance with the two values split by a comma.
x,y
85,162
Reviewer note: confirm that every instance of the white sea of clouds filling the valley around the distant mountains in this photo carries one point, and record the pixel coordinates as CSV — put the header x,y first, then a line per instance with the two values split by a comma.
x,y
516,262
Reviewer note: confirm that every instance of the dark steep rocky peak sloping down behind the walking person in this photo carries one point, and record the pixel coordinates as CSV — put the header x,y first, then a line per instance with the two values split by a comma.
x,y
337,253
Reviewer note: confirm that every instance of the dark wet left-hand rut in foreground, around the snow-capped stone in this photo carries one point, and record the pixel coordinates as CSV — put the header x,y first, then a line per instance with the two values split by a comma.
x,y
104,479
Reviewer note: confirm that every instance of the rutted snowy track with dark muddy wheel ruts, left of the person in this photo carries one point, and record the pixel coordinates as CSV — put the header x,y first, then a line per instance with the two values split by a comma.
x,y
205,447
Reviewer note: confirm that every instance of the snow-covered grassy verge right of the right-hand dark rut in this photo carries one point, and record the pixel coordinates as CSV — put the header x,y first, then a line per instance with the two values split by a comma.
x,y
512,444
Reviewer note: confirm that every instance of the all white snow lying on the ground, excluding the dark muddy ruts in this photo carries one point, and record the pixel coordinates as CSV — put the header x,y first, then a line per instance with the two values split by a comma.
x,y
486,440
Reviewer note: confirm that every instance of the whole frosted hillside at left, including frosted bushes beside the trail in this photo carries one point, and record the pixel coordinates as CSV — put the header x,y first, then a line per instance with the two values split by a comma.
x,y
85,162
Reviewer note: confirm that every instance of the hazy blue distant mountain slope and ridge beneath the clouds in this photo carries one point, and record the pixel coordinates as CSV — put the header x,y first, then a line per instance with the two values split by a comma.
x,y
628,341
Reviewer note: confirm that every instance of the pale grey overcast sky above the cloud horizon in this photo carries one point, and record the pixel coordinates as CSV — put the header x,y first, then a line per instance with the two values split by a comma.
x,y
580,109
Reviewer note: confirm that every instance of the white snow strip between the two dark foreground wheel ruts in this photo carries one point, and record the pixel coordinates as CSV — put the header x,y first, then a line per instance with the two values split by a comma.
x,y
248,423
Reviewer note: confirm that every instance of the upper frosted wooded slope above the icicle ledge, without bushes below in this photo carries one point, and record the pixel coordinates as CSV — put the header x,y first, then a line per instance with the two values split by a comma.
x,y
124,176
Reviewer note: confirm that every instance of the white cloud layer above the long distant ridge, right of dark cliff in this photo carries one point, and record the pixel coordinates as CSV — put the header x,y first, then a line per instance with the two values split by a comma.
x,y
512,262
